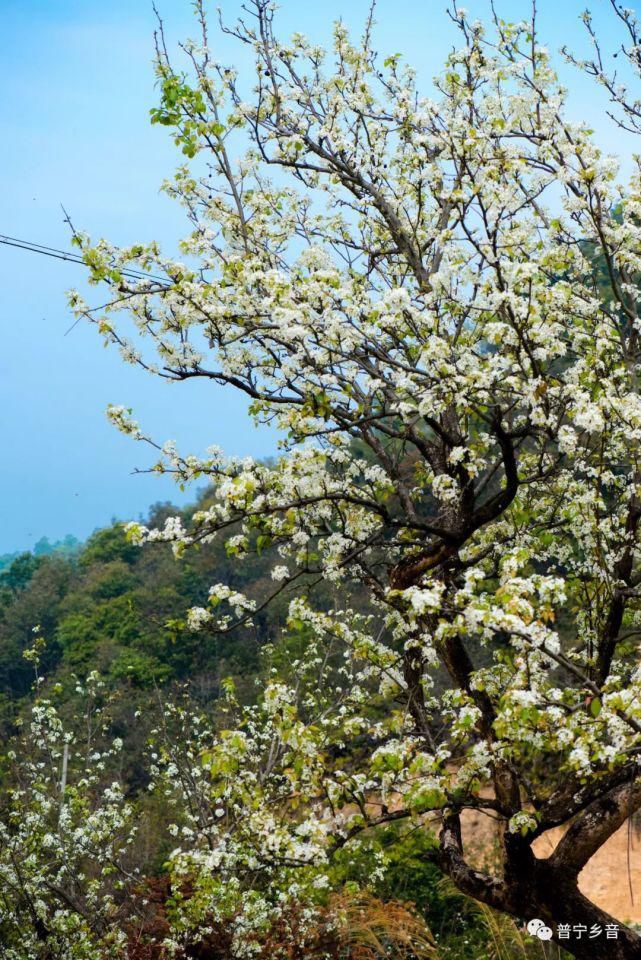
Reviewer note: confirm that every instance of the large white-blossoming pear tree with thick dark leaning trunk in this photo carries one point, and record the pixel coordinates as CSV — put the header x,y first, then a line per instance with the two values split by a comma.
x,y
434,298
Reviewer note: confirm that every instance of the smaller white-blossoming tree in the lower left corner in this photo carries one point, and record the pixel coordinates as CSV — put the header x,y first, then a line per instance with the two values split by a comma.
x,y
66,837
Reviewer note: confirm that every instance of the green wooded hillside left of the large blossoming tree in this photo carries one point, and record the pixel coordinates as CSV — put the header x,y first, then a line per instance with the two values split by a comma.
x,y
110,606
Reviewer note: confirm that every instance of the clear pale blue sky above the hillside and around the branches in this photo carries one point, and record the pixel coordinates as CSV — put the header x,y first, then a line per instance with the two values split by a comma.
x,y
77,86
